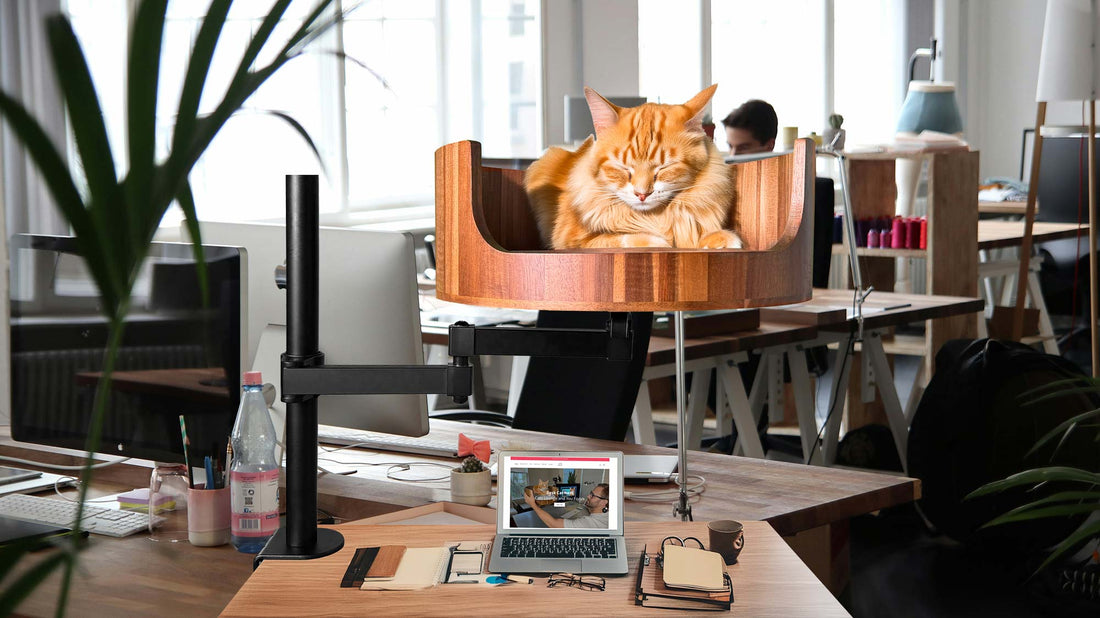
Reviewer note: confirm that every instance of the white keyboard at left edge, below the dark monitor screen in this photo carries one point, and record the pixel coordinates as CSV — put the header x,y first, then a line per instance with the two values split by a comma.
x,y
100,521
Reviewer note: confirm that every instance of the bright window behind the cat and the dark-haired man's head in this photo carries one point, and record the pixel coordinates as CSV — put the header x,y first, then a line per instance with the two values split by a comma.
x,y
789,53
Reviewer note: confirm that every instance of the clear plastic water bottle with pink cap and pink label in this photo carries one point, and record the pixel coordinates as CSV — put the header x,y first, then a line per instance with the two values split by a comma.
x,y
254,476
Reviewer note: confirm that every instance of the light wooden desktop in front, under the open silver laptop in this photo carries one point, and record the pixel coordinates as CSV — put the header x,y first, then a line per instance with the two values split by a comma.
x,y
769,580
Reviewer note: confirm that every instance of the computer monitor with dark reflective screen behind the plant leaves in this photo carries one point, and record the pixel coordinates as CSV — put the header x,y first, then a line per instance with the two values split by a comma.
x,y
178,357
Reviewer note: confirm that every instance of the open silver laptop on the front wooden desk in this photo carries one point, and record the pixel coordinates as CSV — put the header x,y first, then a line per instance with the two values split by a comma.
x,y
566,488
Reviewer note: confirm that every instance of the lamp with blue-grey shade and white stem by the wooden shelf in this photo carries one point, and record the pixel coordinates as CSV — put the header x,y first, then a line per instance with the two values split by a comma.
x,y
929,106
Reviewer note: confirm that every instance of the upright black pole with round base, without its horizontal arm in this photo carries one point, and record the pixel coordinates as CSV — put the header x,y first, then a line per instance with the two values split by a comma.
x,y
301,539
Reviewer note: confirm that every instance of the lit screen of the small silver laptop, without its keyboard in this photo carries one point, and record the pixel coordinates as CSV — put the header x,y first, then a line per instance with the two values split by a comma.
x,y
580,492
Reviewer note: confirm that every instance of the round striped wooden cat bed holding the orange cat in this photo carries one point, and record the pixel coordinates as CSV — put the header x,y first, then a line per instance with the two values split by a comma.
x,y
489,251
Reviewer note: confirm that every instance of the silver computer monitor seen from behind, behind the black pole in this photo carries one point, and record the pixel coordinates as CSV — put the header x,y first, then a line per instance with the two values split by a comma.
x,y
369,316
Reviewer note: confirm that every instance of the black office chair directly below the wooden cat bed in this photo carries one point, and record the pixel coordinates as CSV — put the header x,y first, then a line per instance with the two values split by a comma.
x,y
582,398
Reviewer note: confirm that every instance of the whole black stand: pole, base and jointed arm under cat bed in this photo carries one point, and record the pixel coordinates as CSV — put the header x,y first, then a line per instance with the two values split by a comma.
x,y
305,377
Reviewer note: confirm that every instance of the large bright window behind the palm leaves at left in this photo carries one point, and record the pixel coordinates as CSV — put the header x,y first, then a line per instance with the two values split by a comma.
x,y
455,71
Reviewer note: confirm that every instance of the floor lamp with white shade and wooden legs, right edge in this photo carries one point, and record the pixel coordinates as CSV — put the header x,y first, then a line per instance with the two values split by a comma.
x,y
1069,71
